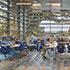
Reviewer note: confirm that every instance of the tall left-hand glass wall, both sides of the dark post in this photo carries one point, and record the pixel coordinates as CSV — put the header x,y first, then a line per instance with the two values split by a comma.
x,y
8,17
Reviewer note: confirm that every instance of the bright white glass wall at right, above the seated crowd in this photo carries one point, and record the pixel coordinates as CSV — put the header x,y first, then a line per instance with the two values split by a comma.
x,y
57,23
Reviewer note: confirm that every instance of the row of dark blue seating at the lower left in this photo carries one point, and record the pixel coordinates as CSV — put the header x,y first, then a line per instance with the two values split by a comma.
x,y
6,51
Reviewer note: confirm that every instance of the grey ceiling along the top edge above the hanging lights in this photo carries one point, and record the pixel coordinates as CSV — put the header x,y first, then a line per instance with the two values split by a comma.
x,y
65,3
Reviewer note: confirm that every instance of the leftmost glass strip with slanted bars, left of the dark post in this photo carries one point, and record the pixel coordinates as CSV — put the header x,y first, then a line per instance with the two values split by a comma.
x,y
3,17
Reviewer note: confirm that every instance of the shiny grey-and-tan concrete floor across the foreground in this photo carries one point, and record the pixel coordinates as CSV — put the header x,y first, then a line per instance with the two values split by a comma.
x,y
34,62
